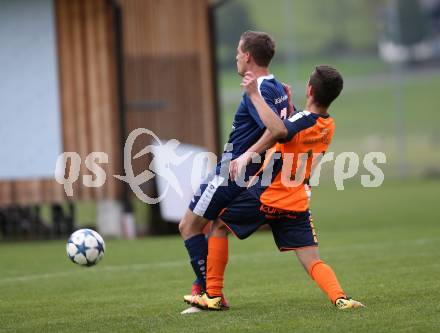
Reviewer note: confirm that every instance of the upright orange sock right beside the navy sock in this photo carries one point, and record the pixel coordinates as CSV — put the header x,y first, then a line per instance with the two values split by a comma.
x,y
217,260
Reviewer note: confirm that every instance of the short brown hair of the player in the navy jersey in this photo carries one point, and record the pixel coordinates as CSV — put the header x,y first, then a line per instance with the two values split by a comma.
x,y
260,45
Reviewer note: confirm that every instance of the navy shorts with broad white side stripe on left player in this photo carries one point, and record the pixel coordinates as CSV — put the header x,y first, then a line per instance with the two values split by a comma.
x,y
217,191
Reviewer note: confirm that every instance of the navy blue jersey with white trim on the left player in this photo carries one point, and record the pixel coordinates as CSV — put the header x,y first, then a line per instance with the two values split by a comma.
x,y
247,127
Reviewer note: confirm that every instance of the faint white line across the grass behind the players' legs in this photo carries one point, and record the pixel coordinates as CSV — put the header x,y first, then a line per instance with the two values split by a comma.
x,y
249,257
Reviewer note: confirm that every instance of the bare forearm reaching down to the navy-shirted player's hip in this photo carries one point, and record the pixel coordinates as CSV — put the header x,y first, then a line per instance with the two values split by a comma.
x,y
265,142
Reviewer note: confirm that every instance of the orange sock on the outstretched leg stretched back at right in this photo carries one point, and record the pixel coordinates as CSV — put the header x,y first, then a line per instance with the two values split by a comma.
x,y
326,280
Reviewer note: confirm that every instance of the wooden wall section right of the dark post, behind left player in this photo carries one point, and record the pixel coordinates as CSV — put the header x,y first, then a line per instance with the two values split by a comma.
x,y
168,65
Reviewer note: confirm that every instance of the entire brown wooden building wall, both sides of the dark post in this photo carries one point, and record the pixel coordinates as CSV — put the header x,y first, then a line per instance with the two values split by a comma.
x,y
168,64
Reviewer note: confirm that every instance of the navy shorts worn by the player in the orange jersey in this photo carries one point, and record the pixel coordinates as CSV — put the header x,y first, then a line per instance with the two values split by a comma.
x,y
291,230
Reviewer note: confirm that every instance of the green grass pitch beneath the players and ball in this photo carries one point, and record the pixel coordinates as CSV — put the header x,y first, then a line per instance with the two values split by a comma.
x,y
383,244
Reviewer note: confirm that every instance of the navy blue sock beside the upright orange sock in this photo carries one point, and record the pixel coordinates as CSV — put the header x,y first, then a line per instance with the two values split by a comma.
x,y
197,247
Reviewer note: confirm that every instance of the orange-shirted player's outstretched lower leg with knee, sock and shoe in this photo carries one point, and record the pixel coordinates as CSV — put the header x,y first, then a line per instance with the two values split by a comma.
x,y
325,278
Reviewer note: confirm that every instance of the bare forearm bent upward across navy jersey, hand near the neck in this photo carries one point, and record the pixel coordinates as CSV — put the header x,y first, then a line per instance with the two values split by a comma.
x,y
272,121
